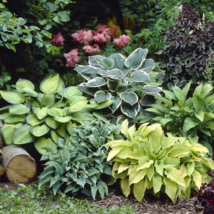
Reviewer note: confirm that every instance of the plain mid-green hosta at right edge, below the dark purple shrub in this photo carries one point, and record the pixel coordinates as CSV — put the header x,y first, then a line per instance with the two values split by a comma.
x,y
188,114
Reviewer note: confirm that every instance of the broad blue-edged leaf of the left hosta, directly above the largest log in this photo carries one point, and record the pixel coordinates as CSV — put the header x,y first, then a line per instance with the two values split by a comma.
x,y
23,135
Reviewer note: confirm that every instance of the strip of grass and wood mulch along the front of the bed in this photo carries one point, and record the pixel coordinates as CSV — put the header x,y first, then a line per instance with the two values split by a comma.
x,y
29,200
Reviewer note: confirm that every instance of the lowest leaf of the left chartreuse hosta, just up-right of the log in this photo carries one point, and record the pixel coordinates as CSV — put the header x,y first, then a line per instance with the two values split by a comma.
x,y
42,143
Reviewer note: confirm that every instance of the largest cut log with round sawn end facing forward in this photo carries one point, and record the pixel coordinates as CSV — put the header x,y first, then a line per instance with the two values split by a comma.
x,y
20,167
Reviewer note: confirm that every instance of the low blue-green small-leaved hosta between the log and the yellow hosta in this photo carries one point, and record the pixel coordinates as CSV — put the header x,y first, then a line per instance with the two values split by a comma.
x,y
81,165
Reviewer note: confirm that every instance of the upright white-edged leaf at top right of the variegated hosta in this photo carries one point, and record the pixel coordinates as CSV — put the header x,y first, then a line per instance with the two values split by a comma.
x,y
135,60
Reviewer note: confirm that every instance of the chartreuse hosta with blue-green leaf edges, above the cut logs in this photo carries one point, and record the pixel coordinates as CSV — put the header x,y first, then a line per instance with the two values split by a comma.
x,y
42,117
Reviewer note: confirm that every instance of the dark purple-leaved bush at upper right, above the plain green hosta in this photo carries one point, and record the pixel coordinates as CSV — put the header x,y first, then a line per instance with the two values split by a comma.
x,y
189,43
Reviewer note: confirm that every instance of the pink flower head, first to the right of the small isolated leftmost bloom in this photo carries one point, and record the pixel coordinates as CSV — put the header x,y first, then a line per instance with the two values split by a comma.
x,y
82,37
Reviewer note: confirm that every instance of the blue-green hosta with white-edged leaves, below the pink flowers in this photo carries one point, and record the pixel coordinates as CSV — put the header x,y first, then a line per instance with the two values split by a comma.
x,y
119,82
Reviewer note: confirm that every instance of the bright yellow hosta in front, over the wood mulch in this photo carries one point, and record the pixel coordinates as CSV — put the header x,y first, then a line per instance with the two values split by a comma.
x,y
148,160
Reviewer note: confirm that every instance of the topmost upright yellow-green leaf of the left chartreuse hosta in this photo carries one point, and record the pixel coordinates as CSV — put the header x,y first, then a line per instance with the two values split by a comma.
x,y
50,84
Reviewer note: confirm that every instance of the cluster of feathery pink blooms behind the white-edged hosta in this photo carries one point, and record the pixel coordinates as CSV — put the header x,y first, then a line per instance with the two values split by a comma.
x,y
91,43
